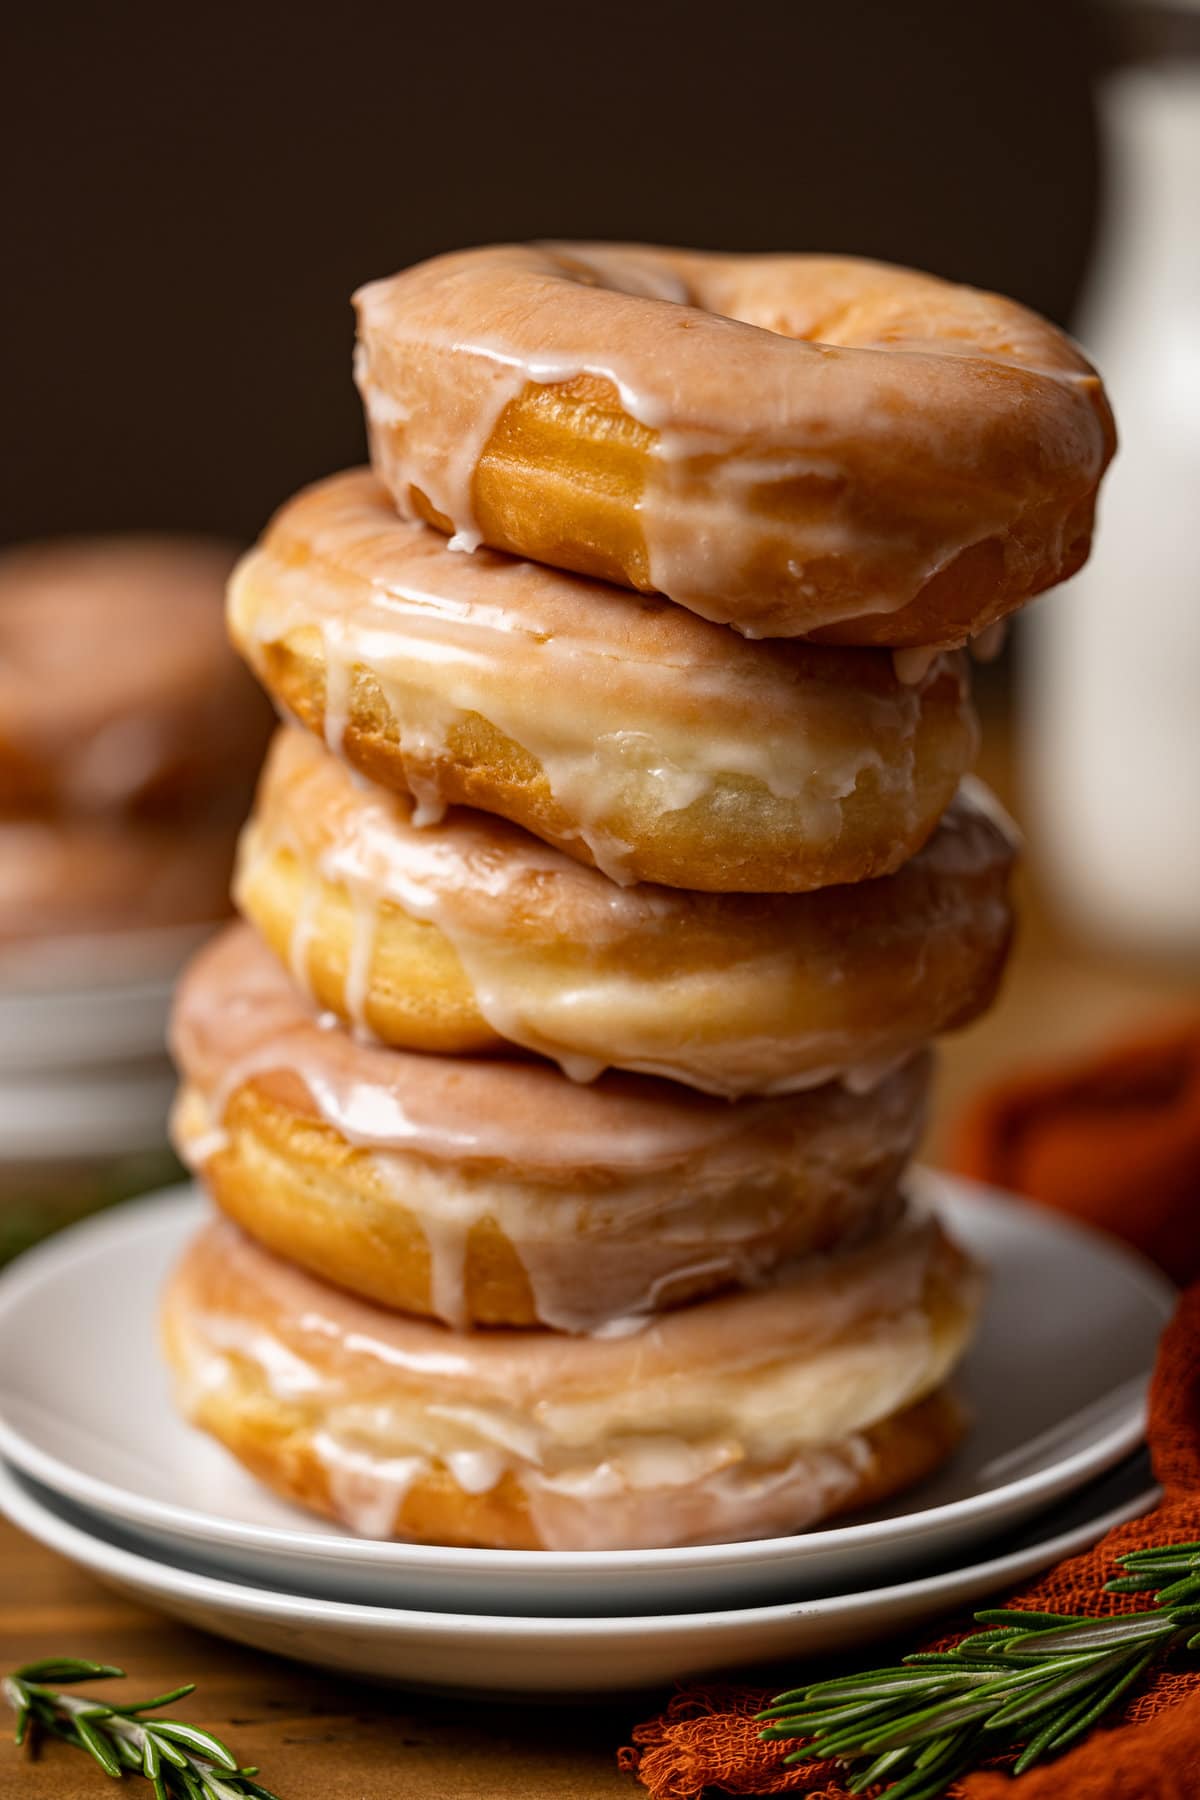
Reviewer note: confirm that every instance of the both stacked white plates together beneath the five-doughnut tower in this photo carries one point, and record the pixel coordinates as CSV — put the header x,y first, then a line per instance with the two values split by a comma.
x,y
98,1466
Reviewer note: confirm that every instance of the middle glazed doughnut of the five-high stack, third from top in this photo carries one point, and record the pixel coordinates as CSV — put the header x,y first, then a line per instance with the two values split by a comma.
x,y
470,933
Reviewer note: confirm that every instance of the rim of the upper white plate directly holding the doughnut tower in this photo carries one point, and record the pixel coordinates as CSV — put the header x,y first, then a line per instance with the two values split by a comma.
x,y
44,1261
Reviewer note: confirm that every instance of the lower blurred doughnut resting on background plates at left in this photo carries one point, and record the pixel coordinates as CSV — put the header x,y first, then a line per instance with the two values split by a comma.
x,y
80,877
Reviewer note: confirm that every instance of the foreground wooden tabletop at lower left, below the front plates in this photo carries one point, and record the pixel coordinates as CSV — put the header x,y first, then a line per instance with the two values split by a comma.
x,y
314,1736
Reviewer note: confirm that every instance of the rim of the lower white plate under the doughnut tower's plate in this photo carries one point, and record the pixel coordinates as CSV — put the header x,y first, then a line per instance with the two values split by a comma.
x,y
280,1605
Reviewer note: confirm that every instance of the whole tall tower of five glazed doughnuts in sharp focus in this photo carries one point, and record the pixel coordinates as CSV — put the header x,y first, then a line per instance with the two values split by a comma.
x,y
605,888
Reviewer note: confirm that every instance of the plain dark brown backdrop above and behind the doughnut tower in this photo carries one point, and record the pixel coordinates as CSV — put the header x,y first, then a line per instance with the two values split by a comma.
x,y
195,192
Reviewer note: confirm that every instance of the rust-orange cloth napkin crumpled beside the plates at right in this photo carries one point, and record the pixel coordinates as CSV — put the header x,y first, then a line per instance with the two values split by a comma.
x,y
1115,1142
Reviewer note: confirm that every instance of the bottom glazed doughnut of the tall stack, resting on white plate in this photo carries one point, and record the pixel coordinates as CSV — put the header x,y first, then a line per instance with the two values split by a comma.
x,y
739,1417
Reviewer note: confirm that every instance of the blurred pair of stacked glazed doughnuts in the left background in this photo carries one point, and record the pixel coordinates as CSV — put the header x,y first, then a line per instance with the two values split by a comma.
x,y
129,744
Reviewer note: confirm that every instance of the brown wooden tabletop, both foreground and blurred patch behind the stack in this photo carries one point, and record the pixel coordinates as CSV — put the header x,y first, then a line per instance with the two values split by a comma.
x,y
318,1738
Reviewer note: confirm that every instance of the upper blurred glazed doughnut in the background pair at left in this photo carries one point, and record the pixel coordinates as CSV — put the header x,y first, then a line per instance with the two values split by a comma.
x,y
118,687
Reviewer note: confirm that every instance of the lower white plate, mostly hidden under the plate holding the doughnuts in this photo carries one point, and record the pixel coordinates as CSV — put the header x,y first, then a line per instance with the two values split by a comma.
x,y
503,1655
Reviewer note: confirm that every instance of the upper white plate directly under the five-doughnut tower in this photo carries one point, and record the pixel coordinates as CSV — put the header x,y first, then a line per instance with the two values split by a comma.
x,y
1057,1385
